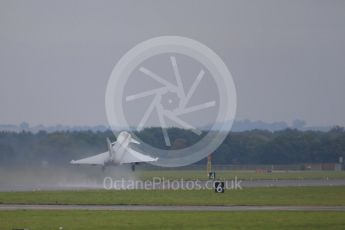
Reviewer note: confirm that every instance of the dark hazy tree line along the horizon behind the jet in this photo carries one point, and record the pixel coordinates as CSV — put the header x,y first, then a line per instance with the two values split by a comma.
x,y
289,146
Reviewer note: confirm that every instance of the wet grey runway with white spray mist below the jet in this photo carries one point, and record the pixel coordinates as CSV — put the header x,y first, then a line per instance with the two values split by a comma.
x,y
122,178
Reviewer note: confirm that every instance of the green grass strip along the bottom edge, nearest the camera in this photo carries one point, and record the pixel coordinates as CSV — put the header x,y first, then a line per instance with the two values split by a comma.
x,y
170,220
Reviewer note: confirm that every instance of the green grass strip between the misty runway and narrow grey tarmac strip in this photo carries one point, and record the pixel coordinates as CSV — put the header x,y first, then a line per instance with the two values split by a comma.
x,y
327,195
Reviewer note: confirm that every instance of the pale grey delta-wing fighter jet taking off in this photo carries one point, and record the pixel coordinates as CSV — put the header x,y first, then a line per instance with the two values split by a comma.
x,y
118,153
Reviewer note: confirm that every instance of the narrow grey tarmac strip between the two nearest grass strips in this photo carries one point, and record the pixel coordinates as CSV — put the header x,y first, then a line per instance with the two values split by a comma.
x,y
169,208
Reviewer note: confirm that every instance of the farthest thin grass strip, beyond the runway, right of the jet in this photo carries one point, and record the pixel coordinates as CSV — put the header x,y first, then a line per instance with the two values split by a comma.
x,y
240,174
